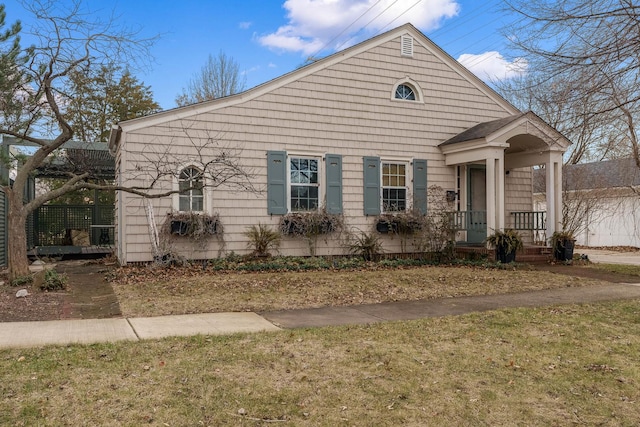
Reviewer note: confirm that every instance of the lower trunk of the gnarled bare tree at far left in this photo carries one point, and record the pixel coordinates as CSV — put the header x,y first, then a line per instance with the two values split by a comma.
x,y
17,237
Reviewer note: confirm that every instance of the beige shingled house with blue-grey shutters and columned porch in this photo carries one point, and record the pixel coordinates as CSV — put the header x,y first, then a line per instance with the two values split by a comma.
x,y
361,132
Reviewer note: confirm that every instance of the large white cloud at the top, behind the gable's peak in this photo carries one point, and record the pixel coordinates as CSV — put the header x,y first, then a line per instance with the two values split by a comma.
x,y
314,24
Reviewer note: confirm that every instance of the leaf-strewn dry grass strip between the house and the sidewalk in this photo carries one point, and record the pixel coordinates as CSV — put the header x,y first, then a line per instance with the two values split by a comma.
x,y
145,292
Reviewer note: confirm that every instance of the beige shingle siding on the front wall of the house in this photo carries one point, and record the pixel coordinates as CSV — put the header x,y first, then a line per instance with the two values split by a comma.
x,y
346,108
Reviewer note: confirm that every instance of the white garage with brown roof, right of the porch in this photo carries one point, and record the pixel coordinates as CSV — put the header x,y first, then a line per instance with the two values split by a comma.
x,y
601,203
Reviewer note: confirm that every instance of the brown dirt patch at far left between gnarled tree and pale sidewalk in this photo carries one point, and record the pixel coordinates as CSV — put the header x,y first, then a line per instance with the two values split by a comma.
x,y
88,296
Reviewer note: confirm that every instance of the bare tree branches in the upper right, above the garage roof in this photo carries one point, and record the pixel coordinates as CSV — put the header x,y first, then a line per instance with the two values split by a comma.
x,y
585,78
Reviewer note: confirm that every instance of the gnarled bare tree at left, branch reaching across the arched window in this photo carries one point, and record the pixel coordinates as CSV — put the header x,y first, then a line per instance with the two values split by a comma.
x,y
67,40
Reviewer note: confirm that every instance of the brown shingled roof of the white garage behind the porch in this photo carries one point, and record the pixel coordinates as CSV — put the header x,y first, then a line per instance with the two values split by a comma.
x,y
590,176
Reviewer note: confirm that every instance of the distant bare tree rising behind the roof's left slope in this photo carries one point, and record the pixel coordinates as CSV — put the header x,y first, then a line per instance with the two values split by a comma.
x,y
219,77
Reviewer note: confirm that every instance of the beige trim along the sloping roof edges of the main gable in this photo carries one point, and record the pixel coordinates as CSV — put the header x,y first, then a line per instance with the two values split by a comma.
x,y
212,105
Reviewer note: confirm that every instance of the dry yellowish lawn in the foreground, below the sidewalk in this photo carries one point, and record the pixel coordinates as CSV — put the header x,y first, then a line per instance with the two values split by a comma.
x,y
564,365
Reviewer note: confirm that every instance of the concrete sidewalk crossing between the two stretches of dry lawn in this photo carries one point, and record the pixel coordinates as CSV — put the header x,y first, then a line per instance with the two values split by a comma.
x,y
87,331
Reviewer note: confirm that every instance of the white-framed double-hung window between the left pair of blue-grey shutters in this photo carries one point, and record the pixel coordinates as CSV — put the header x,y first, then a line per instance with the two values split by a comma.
x,y
303,183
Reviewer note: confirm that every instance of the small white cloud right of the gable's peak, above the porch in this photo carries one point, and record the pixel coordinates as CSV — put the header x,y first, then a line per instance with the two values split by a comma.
x,y
492,66
